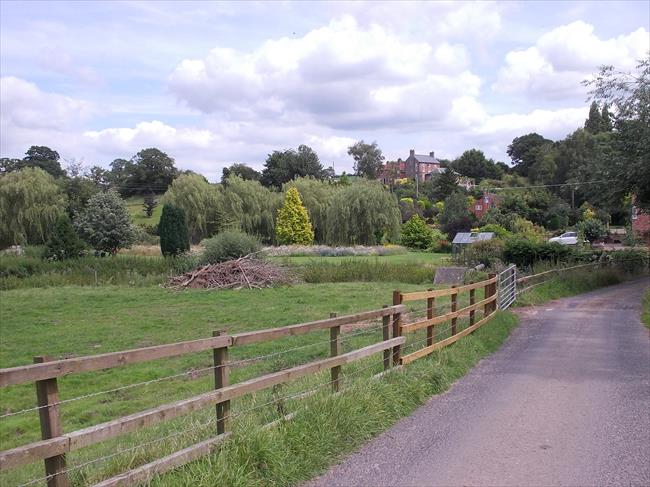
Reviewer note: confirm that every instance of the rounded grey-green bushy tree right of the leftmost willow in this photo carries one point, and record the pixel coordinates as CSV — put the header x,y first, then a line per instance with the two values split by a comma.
x,y
105,223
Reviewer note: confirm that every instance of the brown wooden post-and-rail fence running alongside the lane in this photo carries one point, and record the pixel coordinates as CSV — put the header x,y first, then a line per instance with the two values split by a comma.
x,y
54,446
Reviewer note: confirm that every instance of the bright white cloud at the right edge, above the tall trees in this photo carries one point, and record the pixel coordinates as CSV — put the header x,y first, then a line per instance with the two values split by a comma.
x,y
554,67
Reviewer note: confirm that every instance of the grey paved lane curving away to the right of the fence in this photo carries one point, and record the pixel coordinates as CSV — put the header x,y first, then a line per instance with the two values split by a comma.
x,y
566,402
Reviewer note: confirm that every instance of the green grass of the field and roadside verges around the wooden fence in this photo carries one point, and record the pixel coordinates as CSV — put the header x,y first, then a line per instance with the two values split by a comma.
x,y
48,309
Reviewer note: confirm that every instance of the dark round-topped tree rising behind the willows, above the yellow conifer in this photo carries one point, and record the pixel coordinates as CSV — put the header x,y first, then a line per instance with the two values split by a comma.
x,y
283,166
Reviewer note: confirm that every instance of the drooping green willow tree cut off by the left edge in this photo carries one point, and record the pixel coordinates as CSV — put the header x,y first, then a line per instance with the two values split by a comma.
x,y
30,205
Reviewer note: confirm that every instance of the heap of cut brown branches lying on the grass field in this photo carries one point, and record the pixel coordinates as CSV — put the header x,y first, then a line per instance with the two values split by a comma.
x,y
246,272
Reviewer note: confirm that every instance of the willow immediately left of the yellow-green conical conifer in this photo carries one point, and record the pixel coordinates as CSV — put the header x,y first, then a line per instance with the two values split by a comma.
x,y
250,207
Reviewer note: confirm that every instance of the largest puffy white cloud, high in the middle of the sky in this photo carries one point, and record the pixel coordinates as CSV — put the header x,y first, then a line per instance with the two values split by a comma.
x,y
340,75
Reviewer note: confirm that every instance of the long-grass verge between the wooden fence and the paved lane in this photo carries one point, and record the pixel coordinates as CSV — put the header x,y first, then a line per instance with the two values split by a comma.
x,y
328,427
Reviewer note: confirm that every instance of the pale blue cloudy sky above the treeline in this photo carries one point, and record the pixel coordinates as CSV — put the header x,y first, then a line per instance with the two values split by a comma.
x,y
214,83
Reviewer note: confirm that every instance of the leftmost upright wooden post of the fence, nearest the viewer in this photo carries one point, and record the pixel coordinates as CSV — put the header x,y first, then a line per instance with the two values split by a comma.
x,y
47,396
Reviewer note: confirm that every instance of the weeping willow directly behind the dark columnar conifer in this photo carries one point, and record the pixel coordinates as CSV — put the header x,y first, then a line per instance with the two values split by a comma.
x,y
201,201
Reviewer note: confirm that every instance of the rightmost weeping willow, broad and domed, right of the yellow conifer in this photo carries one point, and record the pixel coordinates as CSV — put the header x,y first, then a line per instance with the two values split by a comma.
x,y
364,213
